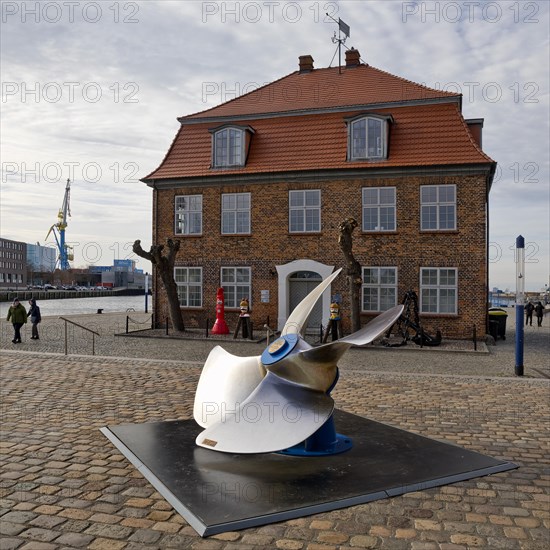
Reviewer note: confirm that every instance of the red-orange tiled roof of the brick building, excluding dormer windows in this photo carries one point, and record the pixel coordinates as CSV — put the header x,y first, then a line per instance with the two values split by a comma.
x,y
430,132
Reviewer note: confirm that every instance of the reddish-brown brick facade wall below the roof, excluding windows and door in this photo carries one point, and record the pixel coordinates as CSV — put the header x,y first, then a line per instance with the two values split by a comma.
x,y
270,244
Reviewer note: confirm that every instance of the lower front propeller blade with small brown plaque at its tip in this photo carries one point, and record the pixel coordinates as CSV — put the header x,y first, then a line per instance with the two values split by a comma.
x,y
276,416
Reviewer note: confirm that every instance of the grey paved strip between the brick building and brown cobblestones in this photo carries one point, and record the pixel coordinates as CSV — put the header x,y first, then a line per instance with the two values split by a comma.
x,y
452,357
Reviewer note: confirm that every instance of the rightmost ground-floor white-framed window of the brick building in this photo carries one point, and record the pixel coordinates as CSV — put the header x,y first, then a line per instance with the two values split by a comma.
x,y
437,295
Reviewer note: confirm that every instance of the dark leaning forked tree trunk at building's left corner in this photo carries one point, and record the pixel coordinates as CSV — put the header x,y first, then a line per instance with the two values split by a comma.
x,y
165,265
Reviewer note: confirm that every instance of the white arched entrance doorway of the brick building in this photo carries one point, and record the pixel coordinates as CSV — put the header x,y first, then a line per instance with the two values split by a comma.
x,y
285,273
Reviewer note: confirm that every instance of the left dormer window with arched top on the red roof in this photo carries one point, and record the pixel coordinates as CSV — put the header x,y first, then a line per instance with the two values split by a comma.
x,y
230,146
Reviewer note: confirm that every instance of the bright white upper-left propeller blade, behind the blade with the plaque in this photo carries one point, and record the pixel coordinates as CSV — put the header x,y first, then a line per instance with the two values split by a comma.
x,y
226,381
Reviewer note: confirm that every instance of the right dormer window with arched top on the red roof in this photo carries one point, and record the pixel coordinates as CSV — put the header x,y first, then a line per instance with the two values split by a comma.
x,y
368,137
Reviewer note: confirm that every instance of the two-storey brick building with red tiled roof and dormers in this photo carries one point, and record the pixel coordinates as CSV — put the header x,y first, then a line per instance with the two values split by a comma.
x,y
255,189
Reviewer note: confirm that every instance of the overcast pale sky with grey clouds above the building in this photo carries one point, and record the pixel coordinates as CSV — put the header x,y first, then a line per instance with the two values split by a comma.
x,y
91,91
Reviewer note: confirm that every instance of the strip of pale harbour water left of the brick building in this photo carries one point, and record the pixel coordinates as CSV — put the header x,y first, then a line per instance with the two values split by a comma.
x,y
78,306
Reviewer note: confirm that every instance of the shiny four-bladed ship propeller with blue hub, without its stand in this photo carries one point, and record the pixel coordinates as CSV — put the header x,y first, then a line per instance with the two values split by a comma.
x,y
277,400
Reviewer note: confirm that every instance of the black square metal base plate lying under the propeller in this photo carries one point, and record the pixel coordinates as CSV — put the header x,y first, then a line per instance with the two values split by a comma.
x,y
217,492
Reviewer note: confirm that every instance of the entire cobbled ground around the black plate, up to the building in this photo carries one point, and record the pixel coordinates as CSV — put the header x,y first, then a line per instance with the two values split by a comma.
x,y
64,485
